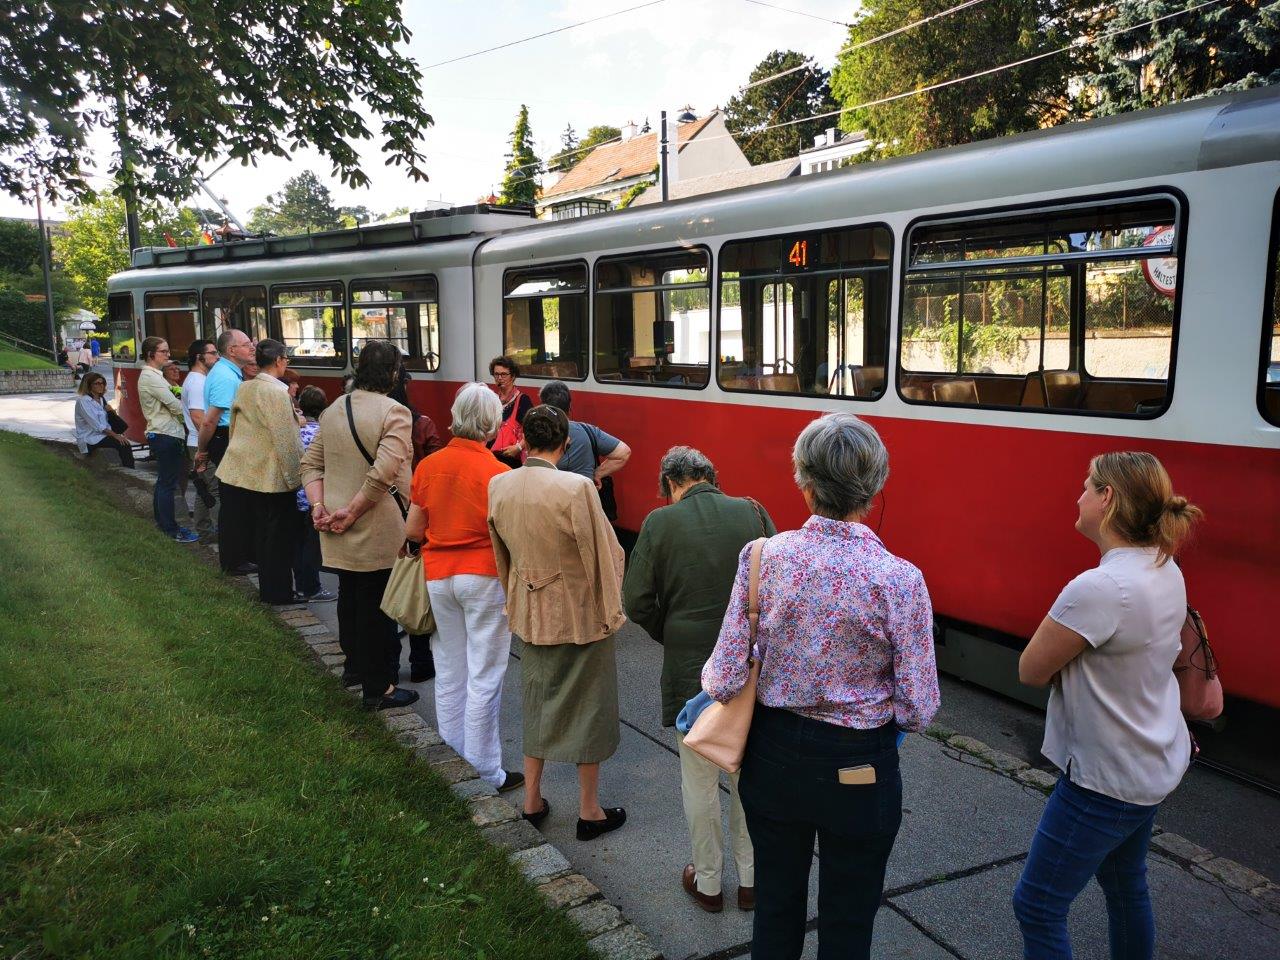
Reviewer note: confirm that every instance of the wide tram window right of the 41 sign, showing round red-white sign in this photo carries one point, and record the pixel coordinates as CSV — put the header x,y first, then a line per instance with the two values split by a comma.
x,y
1068,310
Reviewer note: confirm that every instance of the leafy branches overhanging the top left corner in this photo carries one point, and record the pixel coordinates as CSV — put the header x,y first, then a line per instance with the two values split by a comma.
x,y
181,84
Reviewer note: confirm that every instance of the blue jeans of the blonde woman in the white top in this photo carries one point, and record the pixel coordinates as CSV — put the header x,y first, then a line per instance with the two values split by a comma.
x,y
1084,835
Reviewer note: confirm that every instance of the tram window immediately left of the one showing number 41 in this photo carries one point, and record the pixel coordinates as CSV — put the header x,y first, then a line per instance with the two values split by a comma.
x,y
653,319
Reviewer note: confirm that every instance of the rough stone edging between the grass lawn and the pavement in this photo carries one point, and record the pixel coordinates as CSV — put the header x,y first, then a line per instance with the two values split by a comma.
x,y
609,932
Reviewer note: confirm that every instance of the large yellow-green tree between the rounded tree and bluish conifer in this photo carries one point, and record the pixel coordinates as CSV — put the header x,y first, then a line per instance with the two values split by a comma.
x,y
989,35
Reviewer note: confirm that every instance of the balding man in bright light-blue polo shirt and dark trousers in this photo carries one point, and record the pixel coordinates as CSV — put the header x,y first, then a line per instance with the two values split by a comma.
x,y
236,351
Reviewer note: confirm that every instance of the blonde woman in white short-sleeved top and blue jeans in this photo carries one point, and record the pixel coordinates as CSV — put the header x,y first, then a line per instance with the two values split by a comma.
x,y
1114,725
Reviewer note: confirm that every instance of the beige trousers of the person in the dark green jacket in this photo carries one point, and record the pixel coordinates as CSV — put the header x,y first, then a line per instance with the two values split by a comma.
x,y
700,787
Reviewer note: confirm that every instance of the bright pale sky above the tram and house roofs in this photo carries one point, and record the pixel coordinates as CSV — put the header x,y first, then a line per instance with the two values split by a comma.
x,y
624,68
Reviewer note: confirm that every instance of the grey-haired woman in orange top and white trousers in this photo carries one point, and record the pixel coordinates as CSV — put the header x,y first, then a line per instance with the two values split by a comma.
x,y
473,639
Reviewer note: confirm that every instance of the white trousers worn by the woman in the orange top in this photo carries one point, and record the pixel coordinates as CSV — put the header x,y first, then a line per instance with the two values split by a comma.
x,y
472,648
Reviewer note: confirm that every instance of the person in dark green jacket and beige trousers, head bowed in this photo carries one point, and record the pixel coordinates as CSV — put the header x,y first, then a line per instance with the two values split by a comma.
x,y
678,588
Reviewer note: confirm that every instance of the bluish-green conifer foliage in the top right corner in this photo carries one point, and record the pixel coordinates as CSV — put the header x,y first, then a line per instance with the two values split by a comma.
x,y
1228,47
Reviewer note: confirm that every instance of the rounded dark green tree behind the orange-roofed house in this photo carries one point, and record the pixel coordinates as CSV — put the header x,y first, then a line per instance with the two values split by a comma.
x,y
790,98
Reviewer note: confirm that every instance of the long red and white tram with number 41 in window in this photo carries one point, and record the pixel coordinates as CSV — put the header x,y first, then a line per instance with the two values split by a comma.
x,y
1000,312
